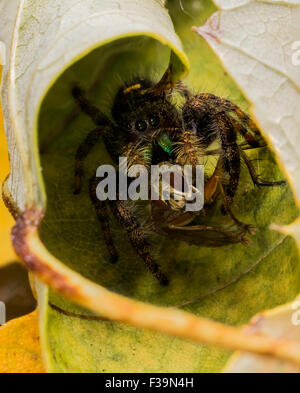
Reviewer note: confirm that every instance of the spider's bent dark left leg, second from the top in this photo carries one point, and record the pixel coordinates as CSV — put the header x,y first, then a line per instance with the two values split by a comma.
x,y
83,150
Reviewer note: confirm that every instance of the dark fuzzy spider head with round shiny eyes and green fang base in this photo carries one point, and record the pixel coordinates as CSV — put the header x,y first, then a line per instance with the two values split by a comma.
x,y
145,121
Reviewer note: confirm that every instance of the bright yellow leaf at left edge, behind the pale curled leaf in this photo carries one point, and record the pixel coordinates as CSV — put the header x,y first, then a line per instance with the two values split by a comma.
x,y
6,221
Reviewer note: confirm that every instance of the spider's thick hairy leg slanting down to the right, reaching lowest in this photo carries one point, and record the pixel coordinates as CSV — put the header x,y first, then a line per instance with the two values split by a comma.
x,y
137,238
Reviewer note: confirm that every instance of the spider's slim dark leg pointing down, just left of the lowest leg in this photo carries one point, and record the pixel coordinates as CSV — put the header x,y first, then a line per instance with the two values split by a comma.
x,y
102,214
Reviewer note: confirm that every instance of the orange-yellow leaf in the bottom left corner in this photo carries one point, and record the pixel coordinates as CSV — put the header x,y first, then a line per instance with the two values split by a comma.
x,y
20,350
